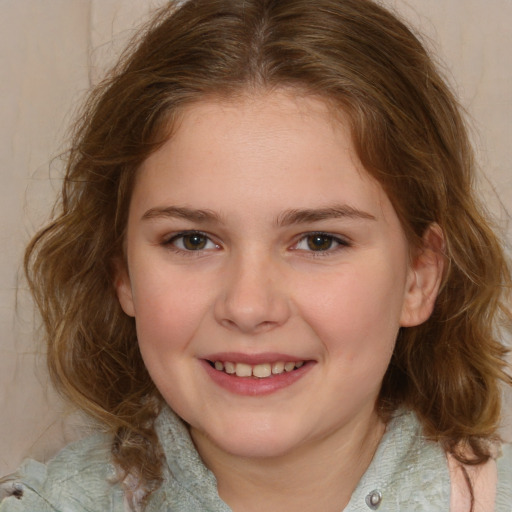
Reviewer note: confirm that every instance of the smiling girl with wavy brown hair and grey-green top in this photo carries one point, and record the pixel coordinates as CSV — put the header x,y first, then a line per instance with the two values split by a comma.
x,y
270,278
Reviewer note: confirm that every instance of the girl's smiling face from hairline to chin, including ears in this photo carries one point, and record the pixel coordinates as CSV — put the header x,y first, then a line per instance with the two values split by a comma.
x,y
268,274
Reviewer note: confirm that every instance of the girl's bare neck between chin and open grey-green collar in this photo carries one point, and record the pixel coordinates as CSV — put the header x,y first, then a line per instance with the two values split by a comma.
x,y
318,476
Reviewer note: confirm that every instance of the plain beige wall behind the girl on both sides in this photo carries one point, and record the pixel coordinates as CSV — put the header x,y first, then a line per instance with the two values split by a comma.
x,y
52,50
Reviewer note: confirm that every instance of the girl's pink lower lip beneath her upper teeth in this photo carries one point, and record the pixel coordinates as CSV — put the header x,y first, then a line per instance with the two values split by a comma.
x,y
254,386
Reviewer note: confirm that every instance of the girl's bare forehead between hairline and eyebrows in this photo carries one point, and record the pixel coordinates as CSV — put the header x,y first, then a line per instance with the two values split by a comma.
x,y
261,149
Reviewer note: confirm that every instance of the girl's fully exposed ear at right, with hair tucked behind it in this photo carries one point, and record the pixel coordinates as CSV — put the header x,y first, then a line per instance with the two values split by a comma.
x,y
424,279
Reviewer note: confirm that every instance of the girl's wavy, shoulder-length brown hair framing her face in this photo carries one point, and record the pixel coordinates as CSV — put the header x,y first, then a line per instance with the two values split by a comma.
x,y
408,133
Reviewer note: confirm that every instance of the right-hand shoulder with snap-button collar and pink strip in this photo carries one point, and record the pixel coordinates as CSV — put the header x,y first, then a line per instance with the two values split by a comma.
x,y
411,472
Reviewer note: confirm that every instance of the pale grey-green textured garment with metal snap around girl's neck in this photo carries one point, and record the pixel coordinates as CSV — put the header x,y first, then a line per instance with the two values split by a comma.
x,y
408,473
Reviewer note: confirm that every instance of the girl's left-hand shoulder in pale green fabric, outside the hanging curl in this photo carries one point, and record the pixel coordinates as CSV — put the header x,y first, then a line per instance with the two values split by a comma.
x,y
77,479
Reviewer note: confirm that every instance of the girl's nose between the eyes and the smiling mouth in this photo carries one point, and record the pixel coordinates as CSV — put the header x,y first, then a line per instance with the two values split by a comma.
x,y
252,298
